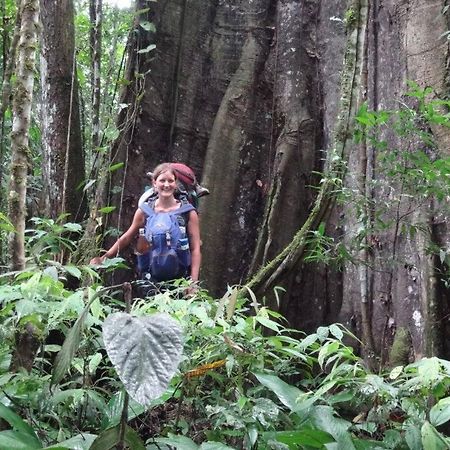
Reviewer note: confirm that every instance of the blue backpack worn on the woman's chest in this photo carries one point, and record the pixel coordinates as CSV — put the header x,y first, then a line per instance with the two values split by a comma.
x,y
169,256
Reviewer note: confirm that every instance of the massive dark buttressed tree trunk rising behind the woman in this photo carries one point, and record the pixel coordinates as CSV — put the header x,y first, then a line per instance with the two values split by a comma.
x,y
251,95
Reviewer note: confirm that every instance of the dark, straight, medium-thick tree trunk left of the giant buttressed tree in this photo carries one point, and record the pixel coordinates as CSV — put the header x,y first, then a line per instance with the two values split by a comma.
x,y
63,161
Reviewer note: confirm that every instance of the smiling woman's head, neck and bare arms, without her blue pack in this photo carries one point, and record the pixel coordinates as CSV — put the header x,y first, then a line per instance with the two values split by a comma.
x,y
165,185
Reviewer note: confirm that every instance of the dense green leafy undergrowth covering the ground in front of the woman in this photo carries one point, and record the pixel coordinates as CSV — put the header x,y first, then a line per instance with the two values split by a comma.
x,y
194,373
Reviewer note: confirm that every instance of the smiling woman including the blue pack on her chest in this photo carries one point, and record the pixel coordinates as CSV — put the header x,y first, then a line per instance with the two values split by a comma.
x,y
171,228
